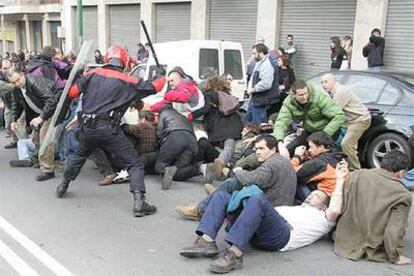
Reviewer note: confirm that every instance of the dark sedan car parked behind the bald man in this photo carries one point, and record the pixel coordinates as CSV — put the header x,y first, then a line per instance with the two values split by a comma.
x,y
390,98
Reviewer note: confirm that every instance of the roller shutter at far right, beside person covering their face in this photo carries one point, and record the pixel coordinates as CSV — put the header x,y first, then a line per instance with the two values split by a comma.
x,y
399,38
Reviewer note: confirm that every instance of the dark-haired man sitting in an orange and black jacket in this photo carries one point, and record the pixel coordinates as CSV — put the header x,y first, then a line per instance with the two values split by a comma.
x,y
318,172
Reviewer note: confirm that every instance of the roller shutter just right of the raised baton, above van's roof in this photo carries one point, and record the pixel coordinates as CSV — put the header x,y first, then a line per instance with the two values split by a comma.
x,y
172,21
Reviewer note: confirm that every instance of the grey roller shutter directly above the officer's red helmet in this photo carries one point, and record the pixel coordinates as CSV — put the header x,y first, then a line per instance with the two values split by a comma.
x,y
124,25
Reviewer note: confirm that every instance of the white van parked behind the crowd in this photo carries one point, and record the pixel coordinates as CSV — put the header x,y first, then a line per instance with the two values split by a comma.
x,y
199,59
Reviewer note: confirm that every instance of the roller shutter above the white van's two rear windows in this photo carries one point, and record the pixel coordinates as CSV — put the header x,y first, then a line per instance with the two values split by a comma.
x,y
234,20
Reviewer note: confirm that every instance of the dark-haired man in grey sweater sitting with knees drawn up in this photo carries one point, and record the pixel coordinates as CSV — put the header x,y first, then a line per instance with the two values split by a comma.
x,y
275,177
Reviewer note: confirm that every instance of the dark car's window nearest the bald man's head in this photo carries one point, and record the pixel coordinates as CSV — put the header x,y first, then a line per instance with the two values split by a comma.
x,y
368,89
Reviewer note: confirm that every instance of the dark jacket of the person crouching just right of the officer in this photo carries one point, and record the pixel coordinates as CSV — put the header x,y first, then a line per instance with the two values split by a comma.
x,y
170,120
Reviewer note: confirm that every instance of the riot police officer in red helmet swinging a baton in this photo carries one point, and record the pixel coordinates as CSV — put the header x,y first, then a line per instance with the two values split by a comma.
x,y
107,92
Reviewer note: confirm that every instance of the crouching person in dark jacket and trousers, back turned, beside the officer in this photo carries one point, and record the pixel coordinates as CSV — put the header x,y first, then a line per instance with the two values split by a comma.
x,y
178,145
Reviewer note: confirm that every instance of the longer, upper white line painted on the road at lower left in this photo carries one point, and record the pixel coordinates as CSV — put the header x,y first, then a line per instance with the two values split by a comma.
x,y
35,250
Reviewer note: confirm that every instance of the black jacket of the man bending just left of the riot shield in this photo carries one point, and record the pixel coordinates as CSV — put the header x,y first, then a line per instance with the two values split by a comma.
x,y
40,92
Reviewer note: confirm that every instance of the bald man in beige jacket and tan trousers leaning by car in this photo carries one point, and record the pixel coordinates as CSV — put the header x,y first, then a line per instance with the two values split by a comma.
x,y
357,117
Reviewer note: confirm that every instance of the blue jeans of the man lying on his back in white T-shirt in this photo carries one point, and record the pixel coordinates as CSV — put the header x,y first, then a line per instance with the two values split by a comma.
x,y
258,223
